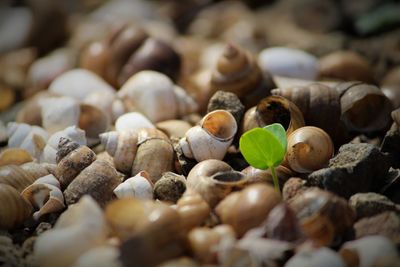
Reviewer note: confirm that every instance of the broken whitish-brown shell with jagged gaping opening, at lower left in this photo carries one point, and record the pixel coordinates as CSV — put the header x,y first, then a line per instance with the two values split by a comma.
x,y
44,194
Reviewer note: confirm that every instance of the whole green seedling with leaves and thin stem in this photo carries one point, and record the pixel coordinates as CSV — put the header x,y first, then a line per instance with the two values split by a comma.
x,y
265,148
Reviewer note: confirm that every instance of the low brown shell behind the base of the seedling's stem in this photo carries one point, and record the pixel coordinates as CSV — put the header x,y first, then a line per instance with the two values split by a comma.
x,y
255,175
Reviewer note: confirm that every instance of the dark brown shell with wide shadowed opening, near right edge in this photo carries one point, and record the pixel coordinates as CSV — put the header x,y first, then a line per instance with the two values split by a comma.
x,y
364,107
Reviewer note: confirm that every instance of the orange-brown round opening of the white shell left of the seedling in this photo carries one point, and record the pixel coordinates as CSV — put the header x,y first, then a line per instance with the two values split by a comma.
x,y
220,123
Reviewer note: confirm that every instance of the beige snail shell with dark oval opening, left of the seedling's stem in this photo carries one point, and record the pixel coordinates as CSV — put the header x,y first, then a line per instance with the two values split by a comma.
x,y
213,180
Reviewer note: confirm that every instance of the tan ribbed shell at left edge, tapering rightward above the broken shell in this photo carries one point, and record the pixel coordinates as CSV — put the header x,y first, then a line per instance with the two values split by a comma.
x,y
24,175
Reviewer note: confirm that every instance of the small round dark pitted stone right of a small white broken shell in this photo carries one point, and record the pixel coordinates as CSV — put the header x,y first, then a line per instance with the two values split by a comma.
x,y
170,187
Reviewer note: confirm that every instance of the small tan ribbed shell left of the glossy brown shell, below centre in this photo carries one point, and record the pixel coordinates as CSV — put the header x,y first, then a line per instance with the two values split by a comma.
x,y
193,209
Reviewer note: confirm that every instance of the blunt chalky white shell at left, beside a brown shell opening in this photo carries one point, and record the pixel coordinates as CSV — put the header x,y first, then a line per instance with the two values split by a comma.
x,y
59,113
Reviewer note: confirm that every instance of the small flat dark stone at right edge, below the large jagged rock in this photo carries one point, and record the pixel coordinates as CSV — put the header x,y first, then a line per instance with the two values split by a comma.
x,y
370,204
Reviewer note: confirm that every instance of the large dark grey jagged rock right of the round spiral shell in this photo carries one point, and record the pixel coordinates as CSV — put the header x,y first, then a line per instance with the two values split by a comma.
x,y
356,168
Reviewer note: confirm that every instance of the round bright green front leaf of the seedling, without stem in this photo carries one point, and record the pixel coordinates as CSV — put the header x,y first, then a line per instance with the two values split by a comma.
x,y
261,148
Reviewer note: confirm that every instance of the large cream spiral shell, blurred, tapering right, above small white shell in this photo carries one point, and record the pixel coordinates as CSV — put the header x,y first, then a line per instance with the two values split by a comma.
x,y
155,95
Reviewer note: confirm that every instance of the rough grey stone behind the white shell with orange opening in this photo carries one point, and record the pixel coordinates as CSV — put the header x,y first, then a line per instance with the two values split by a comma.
x,y
227,101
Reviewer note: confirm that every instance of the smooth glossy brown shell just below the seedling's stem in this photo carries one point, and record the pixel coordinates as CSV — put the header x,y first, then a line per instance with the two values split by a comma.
x,y
248,208
